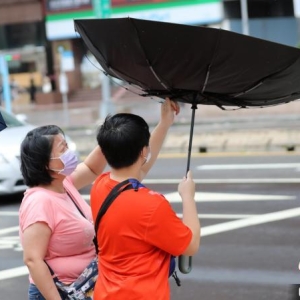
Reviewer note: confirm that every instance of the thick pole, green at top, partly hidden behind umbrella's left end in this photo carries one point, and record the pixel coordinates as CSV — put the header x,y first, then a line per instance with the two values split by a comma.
x,y
102,10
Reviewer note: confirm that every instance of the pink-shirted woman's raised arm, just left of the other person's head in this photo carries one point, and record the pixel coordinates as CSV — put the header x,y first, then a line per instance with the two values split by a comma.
x,y
87,171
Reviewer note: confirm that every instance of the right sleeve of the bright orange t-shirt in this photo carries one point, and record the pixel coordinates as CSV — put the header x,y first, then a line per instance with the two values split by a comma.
x,y
166,231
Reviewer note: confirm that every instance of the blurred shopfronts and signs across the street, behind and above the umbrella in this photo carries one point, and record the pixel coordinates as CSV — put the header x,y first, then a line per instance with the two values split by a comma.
x,y
38,41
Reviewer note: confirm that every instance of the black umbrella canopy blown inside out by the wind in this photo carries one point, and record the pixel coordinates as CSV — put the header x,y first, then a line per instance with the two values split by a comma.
x,y
193,64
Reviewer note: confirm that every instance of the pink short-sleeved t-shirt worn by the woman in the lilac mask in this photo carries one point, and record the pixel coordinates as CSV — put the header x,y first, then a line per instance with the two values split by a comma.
x,y
71,245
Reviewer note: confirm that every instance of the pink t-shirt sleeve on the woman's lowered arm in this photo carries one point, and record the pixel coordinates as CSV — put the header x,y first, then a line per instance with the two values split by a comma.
x,y
39,208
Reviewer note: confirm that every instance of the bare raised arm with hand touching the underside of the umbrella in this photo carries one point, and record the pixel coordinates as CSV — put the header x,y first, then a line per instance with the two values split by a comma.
x,y
168,111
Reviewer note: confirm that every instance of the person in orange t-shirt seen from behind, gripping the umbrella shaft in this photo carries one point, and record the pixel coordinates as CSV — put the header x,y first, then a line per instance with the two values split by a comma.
x,y
140,231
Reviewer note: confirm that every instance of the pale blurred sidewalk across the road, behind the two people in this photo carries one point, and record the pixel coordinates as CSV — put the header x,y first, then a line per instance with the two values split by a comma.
x,y
265,129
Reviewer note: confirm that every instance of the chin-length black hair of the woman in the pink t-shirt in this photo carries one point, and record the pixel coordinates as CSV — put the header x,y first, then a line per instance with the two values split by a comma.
x,y
35,155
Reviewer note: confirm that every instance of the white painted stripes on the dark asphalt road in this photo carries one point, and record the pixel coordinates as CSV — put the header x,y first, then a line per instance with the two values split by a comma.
x,y
9,237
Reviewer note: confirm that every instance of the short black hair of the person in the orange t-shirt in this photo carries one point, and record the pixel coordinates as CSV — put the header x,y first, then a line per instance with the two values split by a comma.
x,y
121,138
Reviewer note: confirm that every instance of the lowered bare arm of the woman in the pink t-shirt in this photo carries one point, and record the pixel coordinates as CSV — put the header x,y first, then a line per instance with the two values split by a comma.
x,y
35,242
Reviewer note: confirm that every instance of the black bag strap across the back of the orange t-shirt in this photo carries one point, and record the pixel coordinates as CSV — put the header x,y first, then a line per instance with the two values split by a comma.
x,y
113,194
